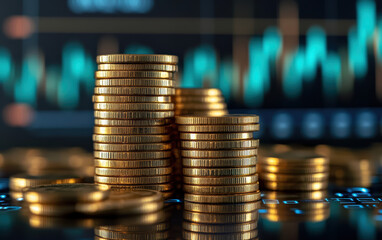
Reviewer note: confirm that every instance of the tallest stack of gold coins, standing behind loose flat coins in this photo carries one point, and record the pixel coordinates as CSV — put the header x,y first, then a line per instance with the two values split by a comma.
x,y
133,116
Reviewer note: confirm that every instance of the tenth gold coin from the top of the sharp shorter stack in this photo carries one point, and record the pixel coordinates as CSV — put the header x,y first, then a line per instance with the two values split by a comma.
x,y
228,198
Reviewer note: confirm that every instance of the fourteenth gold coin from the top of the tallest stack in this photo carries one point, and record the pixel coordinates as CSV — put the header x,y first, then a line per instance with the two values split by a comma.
x,y
132,163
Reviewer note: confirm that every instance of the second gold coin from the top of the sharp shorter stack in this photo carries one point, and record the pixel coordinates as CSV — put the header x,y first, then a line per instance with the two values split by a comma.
x,y
219,128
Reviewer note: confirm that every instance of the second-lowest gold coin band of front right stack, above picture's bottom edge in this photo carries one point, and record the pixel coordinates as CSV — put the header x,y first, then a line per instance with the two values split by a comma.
x,y
218,228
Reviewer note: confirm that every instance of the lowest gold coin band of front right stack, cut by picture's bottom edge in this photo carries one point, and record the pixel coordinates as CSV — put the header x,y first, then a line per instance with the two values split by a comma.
x,y
220,236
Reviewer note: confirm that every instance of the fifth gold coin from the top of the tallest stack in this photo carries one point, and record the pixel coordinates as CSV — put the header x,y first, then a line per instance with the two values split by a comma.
x,y
155,91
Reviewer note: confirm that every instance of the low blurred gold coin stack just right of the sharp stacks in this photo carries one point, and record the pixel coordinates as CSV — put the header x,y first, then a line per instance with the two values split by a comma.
x,y
294,171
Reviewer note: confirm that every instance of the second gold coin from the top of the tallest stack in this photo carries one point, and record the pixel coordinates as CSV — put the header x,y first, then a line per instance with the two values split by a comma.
x,y
137,67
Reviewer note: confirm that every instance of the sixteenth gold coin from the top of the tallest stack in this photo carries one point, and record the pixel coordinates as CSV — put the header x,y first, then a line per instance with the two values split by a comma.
x,y
133,180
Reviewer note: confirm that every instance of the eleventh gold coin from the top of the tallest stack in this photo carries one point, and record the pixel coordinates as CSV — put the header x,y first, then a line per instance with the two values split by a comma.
x,y
130,138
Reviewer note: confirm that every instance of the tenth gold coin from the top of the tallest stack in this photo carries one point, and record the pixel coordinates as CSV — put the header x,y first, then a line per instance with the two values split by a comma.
x,y
132,130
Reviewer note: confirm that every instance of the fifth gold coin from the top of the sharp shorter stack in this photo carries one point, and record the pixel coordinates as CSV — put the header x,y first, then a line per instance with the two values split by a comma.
x,y
218,154
